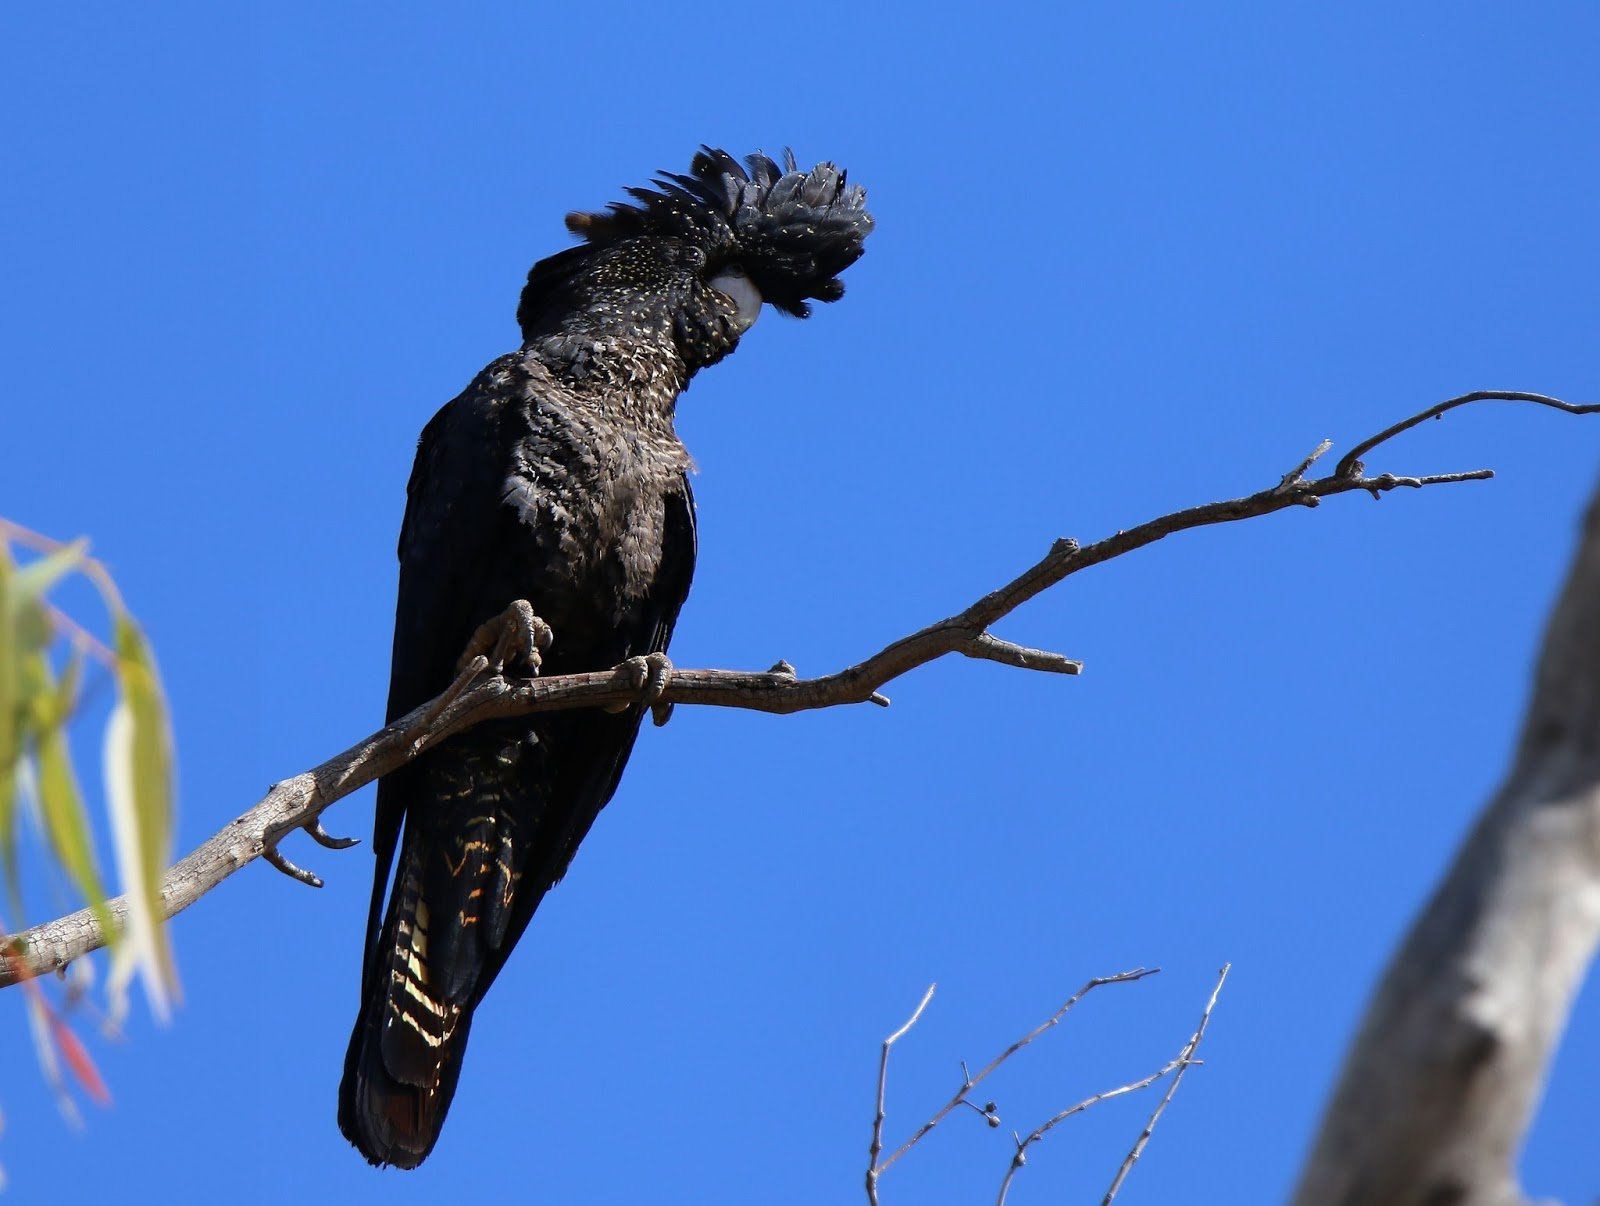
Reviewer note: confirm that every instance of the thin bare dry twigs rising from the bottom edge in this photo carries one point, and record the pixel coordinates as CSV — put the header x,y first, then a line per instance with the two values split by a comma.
x,y
878,1165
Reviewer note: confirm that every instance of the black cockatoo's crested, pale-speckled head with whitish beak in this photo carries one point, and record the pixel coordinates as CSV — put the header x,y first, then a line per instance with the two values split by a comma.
x,y
700,254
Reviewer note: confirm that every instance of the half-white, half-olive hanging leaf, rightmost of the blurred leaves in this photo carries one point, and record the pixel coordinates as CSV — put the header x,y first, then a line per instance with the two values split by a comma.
x,y
140,791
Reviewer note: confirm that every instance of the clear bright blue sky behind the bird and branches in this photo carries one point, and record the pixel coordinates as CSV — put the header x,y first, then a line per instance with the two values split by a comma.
x,y
1129,258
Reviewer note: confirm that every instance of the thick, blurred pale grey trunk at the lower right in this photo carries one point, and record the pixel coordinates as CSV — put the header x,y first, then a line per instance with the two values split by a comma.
x,y
1444,1077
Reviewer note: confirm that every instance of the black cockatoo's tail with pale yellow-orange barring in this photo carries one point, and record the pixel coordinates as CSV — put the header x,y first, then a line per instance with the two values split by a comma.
x,y
434,959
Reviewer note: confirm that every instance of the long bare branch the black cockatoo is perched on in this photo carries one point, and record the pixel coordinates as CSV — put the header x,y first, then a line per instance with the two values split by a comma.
x,y
297,804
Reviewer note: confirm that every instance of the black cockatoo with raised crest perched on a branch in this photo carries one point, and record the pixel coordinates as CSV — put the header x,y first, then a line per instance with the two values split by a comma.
x,y
556,479
